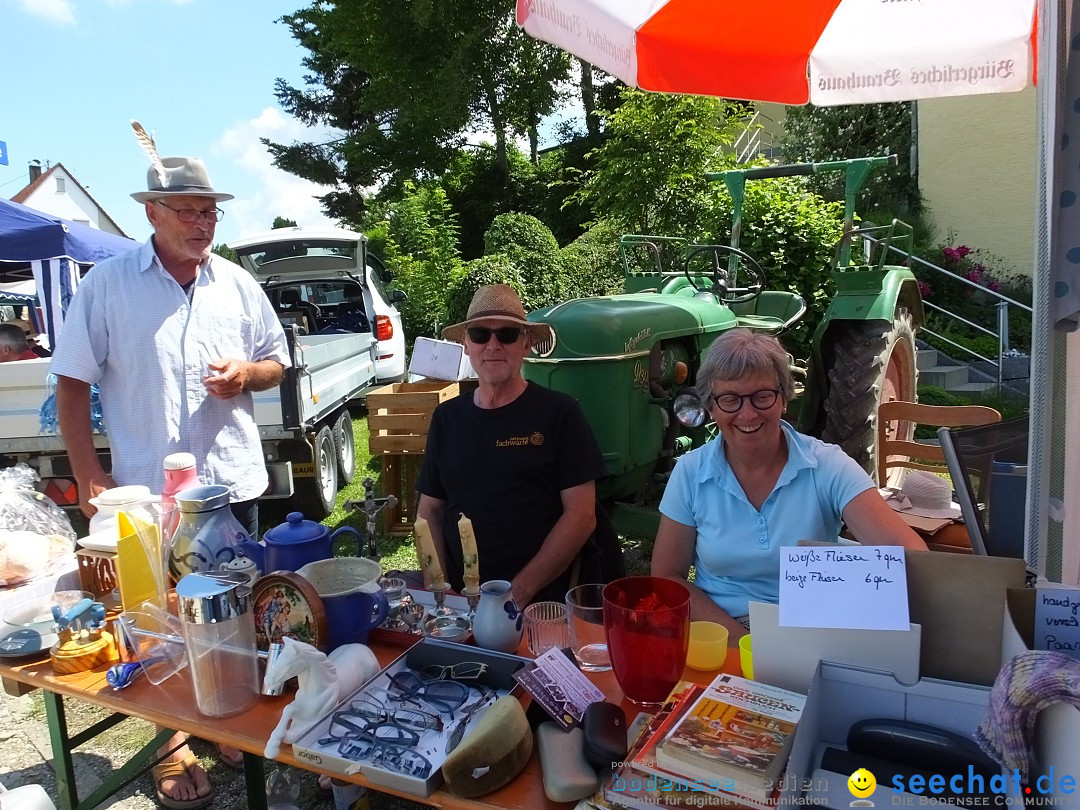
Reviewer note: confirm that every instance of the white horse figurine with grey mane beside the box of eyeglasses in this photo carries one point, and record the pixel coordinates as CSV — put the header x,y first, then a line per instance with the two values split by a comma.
x,y
323,682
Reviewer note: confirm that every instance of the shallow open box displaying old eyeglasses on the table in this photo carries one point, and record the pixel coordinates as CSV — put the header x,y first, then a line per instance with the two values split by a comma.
x,y
425,759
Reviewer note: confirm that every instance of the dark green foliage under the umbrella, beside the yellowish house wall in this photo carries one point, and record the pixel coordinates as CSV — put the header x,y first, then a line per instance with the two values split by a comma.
x,y
815,134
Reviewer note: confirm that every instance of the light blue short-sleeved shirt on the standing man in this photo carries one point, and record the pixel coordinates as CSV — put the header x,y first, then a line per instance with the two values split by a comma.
x,y
132,330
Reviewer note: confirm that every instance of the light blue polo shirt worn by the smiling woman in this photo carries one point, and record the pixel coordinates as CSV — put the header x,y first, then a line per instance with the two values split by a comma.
x,y
737,556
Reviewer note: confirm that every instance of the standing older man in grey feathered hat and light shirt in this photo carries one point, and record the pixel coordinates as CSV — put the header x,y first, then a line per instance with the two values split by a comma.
x,y
178,340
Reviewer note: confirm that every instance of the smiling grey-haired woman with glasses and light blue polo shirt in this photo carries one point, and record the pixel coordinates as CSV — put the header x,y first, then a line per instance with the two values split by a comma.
x,y
761,485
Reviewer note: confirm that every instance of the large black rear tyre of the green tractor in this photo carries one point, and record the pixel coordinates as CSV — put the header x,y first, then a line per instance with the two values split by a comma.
x,y
873,362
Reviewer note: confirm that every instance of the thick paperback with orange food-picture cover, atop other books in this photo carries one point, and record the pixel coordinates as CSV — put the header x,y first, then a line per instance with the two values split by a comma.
x,y
738,732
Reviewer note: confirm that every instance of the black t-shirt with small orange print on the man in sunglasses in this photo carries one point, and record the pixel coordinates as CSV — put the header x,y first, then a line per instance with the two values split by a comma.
x,y
505,469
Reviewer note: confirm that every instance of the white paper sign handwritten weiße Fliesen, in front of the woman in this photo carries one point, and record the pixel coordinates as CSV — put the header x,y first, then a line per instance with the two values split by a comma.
x,y
853,587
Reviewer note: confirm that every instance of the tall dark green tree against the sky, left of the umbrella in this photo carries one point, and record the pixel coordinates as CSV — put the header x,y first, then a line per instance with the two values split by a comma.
x,y
406,84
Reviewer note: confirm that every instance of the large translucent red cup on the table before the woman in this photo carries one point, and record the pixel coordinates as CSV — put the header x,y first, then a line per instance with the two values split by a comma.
x,y
647,624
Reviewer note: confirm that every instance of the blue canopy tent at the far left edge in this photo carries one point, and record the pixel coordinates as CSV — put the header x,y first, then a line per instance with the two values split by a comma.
x,y
55,252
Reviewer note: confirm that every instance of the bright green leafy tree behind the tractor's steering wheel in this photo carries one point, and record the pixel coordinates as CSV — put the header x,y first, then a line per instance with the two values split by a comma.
x,y
650,174
